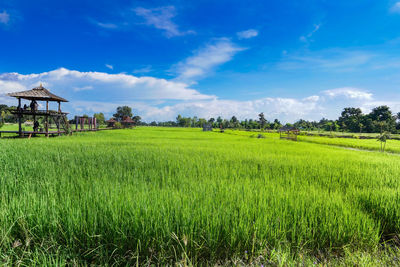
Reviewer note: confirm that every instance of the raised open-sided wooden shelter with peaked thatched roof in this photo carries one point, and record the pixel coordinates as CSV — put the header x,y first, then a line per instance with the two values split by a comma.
x,y
40,94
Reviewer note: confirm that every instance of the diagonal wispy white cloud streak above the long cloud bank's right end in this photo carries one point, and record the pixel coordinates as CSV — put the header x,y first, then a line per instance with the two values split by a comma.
x,y
206,59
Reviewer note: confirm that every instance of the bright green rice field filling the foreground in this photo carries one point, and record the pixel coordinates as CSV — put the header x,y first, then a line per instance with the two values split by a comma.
x,y
182,196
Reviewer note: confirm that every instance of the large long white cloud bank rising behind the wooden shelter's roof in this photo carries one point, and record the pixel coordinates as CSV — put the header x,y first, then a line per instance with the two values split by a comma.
x,y
109,87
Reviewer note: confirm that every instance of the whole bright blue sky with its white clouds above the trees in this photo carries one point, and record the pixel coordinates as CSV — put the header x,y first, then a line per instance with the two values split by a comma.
x,y
289,59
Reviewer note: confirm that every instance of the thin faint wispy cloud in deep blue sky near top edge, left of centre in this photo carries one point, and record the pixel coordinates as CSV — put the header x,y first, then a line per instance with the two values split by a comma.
x,y
161,18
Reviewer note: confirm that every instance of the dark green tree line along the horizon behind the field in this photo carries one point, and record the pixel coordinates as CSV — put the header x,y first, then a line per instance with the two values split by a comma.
x,y
351,119
